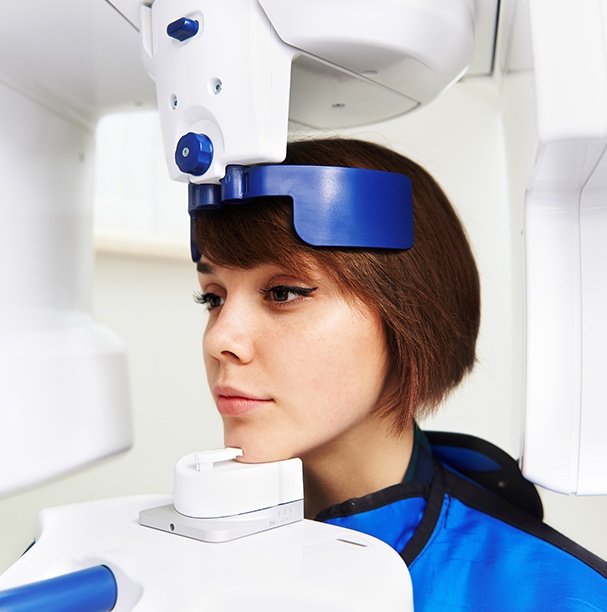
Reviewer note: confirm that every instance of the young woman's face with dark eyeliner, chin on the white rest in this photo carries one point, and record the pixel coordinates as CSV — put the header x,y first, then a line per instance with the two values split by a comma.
x,y
293,365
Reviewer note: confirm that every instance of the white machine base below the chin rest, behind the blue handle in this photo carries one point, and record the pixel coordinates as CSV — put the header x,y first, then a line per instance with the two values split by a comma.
x,y
299,567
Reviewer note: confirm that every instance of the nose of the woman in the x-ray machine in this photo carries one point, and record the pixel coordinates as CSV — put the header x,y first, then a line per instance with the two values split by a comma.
x,y
229,333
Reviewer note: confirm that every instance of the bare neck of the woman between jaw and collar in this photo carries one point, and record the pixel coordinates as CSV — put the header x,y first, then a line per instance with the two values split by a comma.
x,y
365,459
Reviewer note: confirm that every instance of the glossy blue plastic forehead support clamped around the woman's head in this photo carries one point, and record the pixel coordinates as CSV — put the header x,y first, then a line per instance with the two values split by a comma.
x,y
332,206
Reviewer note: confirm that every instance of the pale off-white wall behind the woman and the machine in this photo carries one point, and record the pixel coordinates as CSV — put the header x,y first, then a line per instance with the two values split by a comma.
x,y
147,300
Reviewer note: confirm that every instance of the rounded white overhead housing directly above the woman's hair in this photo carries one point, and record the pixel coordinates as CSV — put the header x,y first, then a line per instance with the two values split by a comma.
x,y
415,48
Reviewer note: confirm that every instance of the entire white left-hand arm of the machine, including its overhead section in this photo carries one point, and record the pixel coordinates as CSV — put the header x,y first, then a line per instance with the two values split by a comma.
x,y
64,392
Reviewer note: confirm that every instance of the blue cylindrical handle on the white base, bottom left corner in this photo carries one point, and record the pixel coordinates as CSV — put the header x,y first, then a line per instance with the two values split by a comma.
x,y
90,590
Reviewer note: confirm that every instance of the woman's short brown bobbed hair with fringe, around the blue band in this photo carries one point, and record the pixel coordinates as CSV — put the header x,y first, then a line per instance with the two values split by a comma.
x,y
428,297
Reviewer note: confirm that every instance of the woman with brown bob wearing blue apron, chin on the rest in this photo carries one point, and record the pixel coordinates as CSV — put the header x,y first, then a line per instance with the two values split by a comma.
x,y
332,354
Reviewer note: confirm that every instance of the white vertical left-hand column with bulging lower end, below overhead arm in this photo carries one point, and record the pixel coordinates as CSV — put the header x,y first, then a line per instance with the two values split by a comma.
x,y
64,393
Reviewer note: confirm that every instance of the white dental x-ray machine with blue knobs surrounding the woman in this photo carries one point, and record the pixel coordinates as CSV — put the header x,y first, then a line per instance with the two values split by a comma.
x,y
229,76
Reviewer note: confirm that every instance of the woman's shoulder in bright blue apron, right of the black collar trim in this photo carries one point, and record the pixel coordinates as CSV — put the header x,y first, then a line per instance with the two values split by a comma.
x,y
488,547
